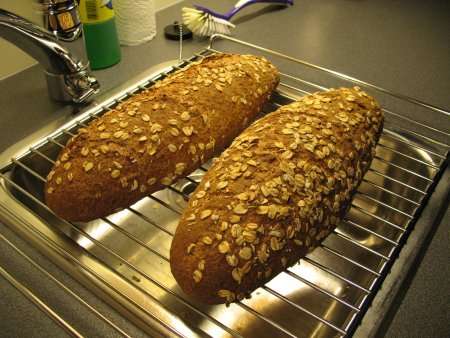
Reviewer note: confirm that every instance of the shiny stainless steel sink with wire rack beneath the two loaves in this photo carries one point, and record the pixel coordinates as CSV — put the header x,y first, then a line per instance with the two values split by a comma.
x,y
125,257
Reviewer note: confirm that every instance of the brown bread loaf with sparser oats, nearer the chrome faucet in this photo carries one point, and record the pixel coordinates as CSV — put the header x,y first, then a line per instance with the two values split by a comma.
x,y
158,136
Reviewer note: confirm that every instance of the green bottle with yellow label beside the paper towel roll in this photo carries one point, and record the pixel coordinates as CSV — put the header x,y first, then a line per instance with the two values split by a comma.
x,y
100,34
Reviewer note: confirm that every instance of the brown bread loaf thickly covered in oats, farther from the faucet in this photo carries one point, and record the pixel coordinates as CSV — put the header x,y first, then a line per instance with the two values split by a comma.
x,y
281,187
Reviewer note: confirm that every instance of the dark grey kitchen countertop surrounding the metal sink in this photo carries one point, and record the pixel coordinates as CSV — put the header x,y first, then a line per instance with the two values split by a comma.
x,y
400,45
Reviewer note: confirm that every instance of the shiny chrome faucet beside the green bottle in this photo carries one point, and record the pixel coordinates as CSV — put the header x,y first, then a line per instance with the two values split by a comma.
x,y
57,43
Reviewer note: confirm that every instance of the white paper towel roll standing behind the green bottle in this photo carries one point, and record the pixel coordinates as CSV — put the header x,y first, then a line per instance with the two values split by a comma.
x,y
135,21
